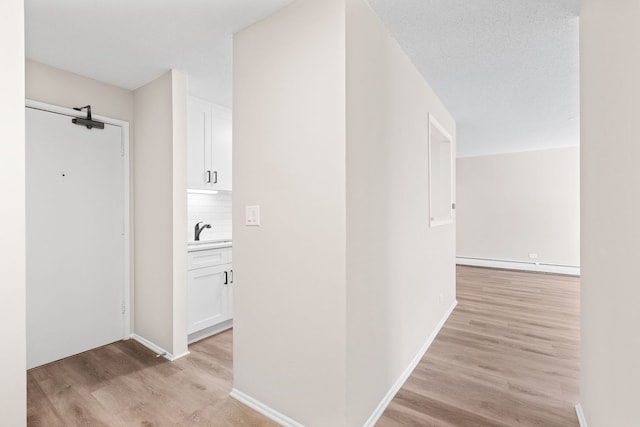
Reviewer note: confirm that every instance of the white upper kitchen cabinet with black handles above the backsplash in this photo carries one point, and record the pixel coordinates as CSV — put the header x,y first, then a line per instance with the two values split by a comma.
x,y
209,150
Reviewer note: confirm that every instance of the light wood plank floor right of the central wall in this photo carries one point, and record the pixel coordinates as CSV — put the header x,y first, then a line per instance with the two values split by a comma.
x,y
508,356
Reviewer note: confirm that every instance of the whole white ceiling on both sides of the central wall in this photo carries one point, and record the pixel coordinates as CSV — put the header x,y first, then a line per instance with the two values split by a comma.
x,y
506,69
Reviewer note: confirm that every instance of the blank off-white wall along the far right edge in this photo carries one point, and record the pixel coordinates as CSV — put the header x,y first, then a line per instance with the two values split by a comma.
x,y
610,209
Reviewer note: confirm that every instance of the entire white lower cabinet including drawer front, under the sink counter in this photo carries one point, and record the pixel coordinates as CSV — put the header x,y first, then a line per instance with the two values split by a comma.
x,y
209,293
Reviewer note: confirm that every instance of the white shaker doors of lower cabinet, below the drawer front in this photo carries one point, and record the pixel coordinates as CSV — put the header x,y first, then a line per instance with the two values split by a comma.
x,y
208,295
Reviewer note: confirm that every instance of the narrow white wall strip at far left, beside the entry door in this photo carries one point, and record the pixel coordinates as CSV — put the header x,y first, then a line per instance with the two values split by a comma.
x,y
12,215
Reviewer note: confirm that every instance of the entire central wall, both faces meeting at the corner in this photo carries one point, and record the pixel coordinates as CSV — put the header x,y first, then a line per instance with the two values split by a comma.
x,y
338,289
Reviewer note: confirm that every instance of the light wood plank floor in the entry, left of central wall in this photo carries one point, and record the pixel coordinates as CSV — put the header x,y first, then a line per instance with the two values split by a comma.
x,y
124,384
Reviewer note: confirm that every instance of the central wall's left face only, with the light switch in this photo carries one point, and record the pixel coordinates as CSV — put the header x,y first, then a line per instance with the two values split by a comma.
x,y
288,158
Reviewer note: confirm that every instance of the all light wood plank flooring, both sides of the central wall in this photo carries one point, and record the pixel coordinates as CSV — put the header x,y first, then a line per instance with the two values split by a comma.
x,y
507,356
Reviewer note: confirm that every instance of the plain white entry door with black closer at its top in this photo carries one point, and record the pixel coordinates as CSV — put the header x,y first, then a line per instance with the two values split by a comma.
x,y
75,237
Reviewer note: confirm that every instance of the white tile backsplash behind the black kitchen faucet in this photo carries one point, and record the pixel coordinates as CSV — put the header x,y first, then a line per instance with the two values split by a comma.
x,y
214,209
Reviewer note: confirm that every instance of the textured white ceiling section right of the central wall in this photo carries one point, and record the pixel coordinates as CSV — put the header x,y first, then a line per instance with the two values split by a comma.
x,y
506,69
